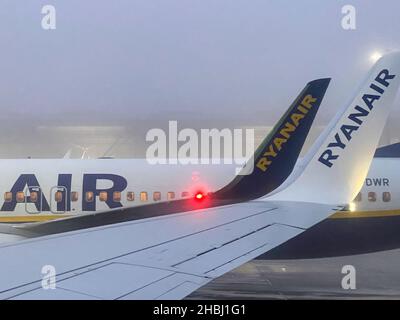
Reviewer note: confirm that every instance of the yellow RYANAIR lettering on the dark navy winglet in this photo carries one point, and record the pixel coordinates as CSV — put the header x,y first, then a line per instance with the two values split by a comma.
x,y
285,133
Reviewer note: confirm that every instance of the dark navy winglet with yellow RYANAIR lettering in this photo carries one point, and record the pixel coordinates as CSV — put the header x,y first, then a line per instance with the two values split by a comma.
x,y
274,159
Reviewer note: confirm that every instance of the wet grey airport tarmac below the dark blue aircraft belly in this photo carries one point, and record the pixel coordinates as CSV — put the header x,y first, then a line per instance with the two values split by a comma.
x,y
377,277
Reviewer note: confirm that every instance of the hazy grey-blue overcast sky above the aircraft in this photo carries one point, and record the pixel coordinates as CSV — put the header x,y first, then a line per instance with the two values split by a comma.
x,y
226,63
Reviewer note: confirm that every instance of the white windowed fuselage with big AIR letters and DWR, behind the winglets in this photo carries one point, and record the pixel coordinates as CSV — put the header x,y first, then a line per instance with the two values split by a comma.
x,y
36,190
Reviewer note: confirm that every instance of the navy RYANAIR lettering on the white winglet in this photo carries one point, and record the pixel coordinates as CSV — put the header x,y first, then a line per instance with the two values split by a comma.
x,y
382,81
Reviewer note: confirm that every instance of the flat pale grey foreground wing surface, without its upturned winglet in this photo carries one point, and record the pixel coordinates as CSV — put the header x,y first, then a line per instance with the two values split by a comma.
x,y
167,257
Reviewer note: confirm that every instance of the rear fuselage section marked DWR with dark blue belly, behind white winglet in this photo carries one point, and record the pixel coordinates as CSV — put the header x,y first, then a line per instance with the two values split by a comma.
x,y
369,223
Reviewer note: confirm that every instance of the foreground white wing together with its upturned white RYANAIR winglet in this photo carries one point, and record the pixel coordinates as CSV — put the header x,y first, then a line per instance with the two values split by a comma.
x,y
125,254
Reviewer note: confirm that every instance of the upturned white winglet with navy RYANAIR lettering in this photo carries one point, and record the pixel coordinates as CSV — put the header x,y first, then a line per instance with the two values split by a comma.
x,y
334,169
